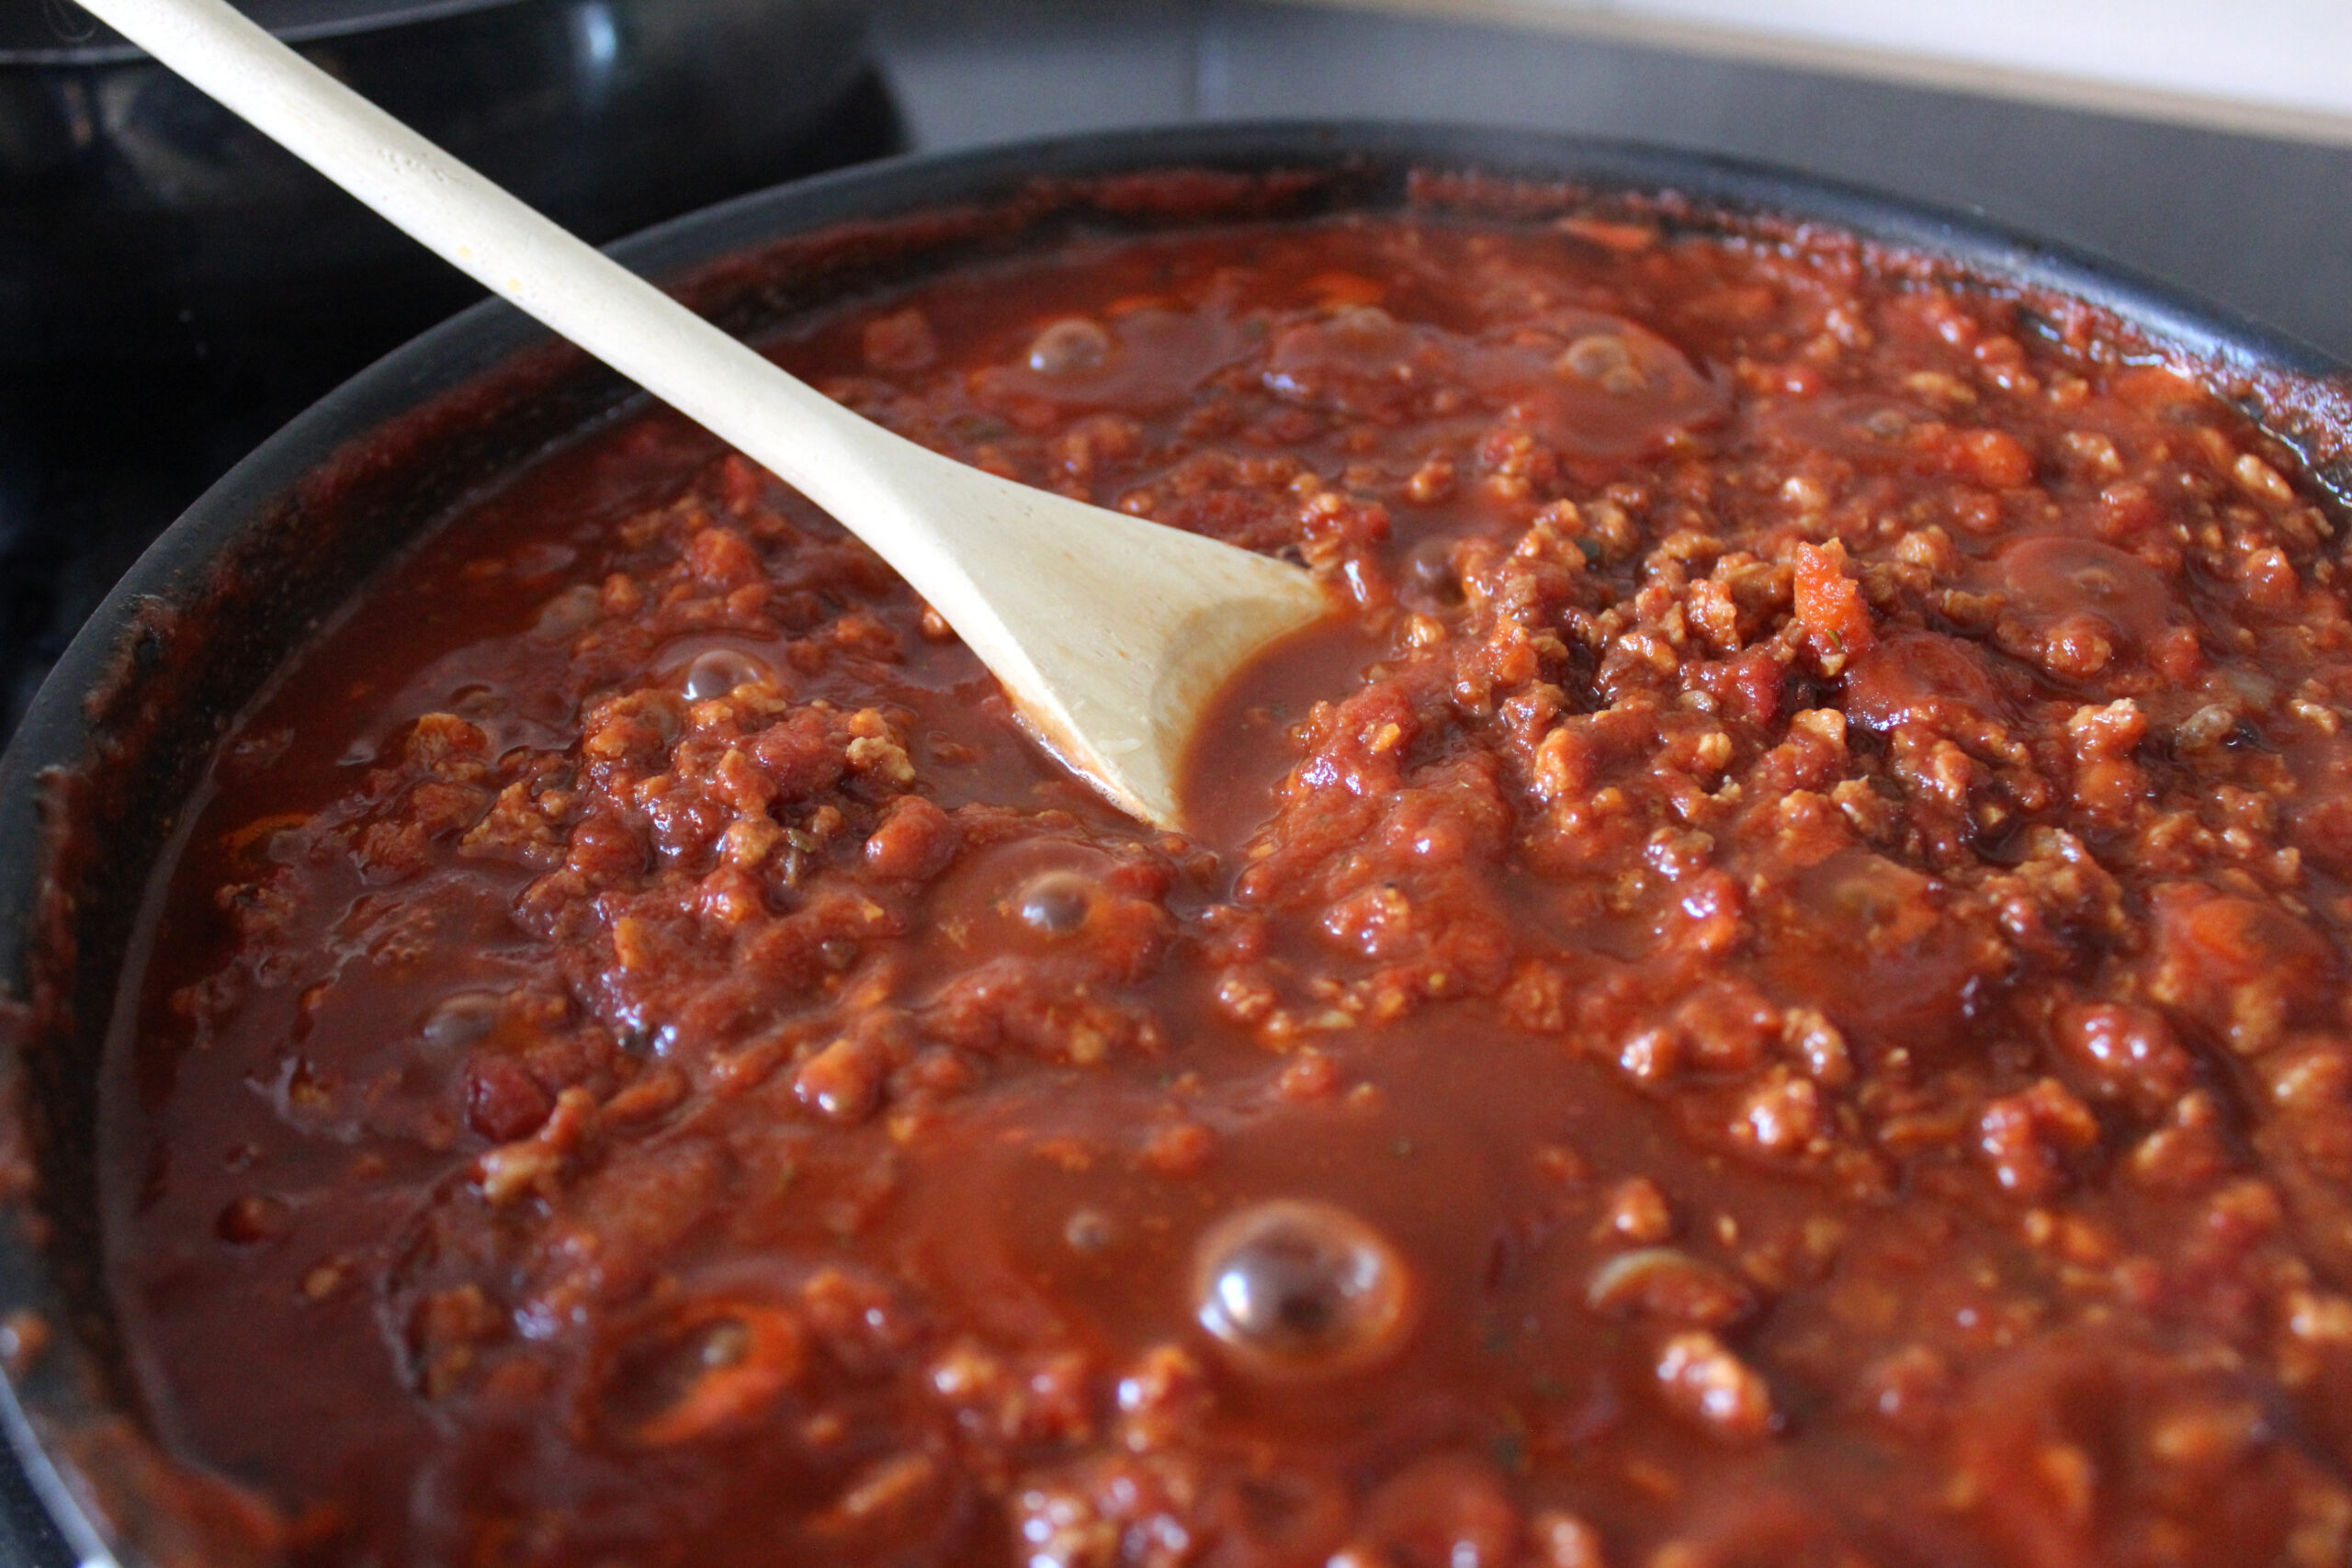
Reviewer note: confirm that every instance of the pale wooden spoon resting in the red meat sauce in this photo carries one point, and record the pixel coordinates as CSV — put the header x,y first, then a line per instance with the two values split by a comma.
x,y
1109,634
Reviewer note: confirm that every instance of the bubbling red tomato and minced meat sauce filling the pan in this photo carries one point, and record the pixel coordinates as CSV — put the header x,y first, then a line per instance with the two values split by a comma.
x,y
1770,993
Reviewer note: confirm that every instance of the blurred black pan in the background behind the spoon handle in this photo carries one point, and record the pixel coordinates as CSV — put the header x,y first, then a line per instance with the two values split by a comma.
x,y
140,220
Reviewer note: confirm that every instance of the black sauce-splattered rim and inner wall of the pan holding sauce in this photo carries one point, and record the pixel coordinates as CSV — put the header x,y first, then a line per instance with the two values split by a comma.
x,y
93,789
